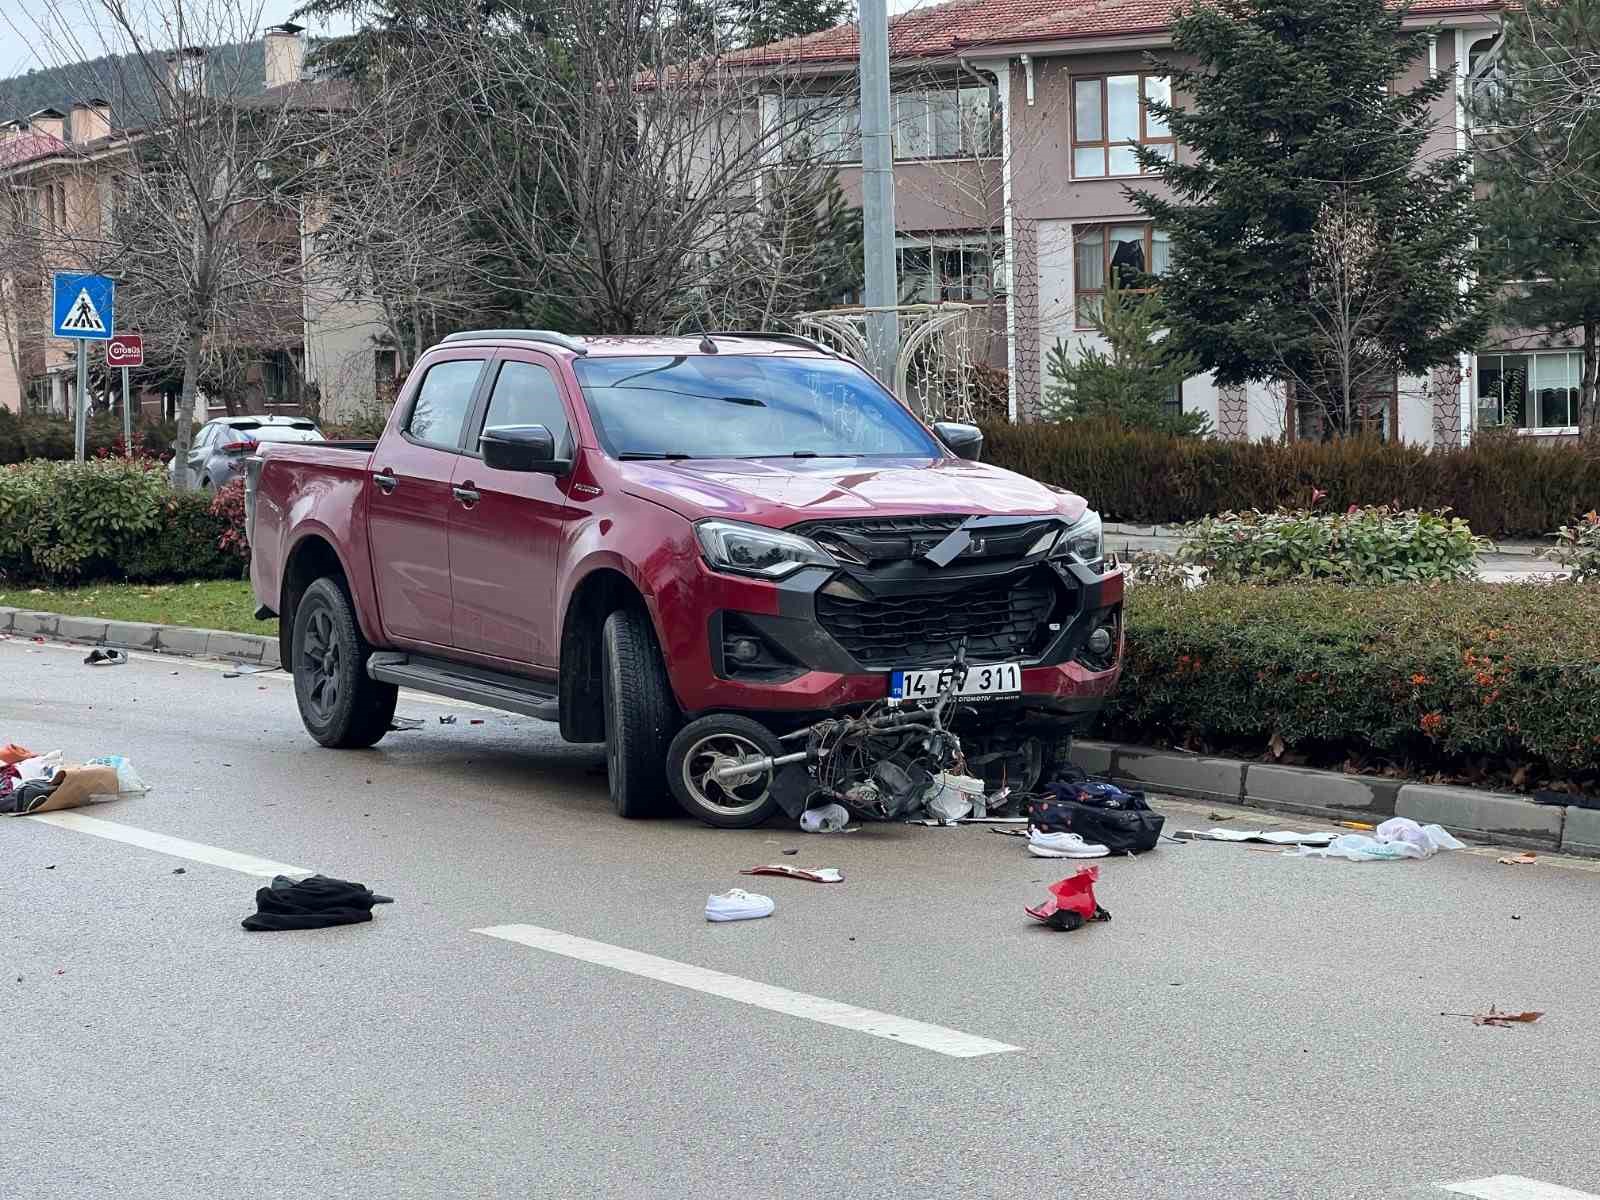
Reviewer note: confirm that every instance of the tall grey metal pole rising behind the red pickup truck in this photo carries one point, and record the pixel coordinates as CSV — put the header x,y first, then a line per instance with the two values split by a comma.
x,y
878,193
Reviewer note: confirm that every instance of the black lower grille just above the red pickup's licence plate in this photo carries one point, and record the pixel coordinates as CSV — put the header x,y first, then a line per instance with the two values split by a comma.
x,y
999,618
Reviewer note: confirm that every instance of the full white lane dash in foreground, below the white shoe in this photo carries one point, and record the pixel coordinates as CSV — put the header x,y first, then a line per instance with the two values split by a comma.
x,y
889,1026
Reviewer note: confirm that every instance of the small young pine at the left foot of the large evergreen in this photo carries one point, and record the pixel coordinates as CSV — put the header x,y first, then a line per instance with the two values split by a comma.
x,y
1135,382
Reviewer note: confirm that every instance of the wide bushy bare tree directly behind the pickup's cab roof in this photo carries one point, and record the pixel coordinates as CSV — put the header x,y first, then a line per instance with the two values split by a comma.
x,y
614,156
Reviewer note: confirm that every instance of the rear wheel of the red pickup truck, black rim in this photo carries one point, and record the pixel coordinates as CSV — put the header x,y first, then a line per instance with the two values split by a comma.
x,y
340,705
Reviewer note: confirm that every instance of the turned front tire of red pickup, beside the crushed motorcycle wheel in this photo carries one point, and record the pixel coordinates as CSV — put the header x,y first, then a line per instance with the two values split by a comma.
x,y
641,716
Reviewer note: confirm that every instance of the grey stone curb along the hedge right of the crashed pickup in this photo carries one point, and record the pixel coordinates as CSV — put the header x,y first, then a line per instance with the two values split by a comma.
x,y
1487,817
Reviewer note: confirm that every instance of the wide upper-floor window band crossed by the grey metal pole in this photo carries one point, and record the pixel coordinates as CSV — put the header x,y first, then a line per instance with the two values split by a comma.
x,y
930,122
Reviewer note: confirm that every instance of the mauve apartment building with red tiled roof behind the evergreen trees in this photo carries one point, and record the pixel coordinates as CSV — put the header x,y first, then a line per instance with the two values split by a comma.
x,y
1033,202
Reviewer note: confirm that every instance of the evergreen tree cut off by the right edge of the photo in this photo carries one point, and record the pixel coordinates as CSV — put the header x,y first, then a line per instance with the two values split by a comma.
x,y
1540,156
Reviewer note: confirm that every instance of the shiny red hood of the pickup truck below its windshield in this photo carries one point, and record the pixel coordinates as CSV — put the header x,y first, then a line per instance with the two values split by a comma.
x,y
785,492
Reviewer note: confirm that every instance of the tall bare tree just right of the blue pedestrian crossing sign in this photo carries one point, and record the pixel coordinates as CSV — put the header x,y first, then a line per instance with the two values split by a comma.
x,y
204,206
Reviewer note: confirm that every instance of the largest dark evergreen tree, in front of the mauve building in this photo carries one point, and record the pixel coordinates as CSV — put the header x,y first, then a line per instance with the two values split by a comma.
x,y
1289,105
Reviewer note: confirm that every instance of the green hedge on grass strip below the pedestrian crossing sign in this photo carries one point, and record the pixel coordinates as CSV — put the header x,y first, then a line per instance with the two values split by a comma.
x,y
108,519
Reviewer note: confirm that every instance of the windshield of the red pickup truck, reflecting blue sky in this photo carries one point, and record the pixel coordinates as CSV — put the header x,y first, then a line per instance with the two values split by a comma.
x,y
746,407
